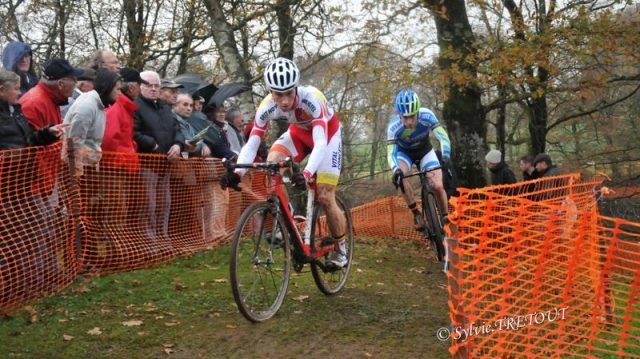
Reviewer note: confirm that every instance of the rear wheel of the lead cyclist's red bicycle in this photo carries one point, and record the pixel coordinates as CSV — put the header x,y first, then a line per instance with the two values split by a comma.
x,y
330,279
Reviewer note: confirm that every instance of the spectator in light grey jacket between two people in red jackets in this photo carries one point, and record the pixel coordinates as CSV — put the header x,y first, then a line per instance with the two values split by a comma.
x,y
86,118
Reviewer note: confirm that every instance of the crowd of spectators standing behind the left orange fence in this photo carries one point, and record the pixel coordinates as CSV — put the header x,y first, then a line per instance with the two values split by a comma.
x,y
110,119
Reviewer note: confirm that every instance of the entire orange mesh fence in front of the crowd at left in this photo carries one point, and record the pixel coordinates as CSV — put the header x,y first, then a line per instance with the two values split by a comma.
x,y
133,211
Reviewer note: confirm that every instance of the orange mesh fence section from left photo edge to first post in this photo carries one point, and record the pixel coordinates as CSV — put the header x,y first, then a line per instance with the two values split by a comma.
x,y
37,253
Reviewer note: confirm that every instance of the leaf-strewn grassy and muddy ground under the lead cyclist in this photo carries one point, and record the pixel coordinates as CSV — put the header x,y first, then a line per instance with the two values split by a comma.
x,y
393,304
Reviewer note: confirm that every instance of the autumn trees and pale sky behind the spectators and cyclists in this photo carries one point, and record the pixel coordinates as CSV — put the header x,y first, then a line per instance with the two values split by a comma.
x,y
524,77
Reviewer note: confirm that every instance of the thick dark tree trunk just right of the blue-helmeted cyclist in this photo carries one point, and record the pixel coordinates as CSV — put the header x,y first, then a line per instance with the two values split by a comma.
x,y
463,112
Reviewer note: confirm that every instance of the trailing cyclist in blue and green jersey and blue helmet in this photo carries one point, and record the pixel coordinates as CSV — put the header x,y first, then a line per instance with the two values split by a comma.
x,y
408,143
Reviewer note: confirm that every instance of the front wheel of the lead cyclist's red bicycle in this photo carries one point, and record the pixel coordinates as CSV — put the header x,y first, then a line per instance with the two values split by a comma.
x,y
260,262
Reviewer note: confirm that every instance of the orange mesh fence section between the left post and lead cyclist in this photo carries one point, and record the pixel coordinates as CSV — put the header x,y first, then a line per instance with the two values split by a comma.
x,y
154,209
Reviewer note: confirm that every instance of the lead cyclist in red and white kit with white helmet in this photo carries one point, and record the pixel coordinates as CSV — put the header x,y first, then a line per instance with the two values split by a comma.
x,y
314,131
